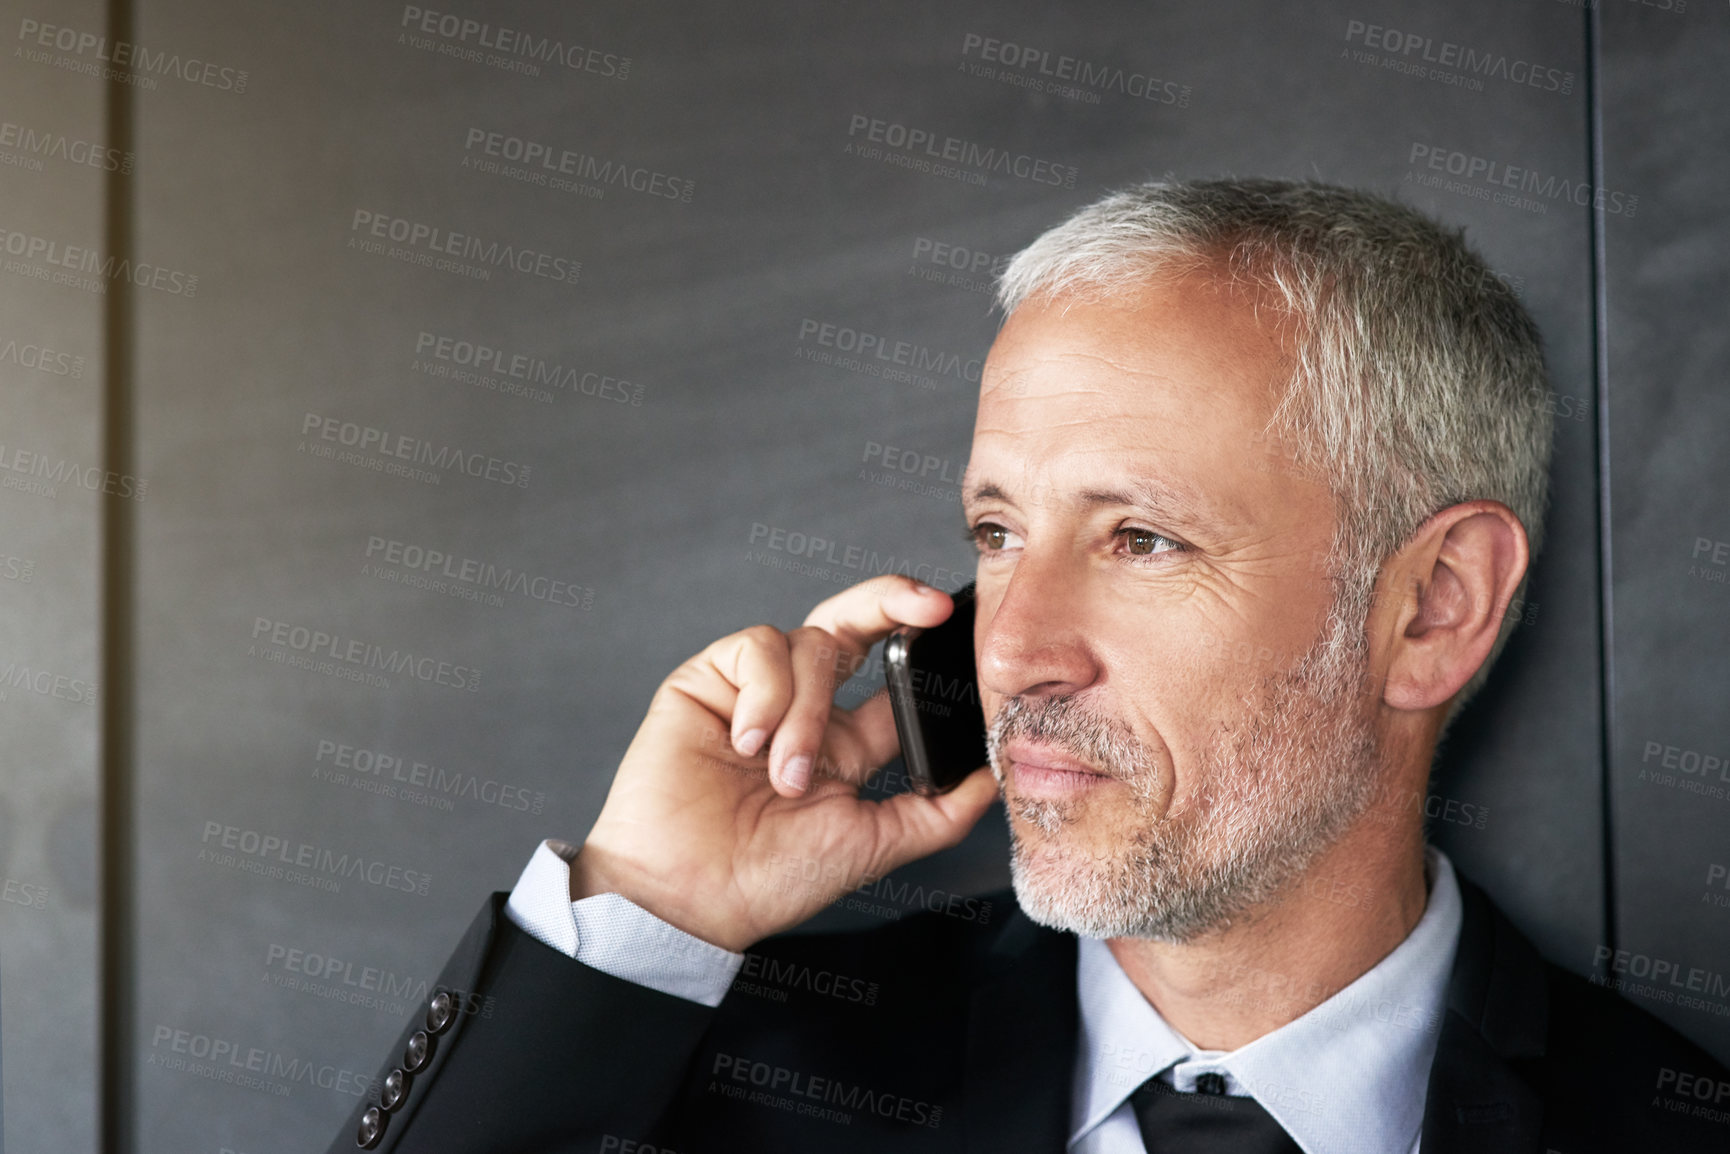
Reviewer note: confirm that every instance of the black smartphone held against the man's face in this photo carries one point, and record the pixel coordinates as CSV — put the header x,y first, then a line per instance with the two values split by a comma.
x,y
935,693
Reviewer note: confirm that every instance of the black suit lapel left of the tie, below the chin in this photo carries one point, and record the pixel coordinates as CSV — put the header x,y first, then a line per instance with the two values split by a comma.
x,y
1022,1042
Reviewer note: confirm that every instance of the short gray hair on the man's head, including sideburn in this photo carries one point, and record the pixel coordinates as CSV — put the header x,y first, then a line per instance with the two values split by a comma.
x,y
1419,376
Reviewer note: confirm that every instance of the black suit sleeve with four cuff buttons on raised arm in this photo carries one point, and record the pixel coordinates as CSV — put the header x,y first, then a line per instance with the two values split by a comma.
x,y
527,1051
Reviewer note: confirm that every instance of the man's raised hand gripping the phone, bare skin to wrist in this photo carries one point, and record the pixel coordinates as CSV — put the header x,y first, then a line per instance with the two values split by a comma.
x,y
736,811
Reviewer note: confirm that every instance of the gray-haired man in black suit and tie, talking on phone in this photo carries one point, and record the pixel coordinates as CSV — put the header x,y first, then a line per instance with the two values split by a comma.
x,y
1257,473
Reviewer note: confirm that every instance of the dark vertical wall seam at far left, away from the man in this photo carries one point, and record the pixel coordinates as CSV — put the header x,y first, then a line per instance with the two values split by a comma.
x,y
119,535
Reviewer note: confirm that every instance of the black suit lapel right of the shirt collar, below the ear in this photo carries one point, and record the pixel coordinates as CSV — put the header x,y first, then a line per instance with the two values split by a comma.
x,y
1497,1016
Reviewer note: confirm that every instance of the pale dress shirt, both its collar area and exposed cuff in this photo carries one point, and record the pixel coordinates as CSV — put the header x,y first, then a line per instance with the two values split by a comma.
x,y
1349,1077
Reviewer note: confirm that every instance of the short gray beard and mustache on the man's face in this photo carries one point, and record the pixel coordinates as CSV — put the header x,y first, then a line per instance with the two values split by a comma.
x,y
1272,797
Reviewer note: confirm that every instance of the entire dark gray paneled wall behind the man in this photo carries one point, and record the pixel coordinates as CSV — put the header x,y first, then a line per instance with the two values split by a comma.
x,y
688,416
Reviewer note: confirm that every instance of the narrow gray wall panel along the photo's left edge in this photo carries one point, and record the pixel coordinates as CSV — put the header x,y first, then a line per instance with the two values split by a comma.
x,y
51,430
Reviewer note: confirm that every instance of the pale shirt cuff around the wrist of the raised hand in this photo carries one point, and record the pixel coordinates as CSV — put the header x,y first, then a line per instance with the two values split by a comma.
x,y
615,935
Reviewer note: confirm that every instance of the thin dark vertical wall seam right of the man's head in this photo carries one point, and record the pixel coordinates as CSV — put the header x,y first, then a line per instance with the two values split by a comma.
x,y
1603,468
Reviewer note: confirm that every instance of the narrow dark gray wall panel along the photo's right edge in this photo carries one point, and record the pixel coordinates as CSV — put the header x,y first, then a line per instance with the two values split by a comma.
x,y
1669,504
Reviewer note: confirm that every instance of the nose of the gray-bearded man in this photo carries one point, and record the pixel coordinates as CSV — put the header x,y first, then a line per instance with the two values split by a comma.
x,y
1034,643
